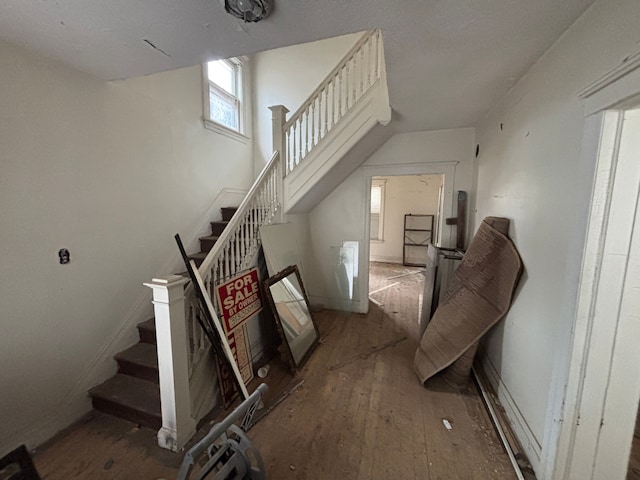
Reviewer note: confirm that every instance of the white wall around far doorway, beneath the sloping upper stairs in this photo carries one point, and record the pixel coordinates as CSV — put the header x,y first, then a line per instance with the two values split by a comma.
x,y
342,215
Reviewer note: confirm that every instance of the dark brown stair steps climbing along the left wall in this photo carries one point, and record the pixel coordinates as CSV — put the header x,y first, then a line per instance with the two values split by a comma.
x,y
134,392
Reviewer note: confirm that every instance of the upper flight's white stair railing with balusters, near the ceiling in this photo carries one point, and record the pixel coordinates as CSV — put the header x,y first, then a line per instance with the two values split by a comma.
x,y
356,73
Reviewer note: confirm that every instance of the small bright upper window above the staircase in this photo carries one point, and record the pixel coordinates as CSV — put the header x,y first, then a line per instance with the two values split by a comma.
x,y
223,93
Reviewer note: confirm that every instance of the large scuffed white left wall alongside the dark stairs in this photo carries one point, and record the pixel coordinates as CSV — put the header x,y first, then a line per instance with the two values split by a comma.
x,y
110,171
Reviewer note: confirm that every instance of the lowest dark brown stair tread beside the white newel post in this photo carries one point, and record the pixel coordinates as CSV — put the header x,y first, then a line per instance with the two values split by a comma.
x,y
131,392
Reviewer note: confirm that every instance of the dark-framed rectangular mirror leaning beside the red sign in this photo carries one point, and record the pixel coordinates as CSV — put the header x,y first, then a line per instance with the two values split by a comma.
x,y
290,306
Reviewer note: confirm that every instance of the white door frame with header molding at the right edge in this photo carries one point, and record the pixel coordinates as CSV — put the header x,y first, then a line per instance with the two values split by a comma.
x,y
587,441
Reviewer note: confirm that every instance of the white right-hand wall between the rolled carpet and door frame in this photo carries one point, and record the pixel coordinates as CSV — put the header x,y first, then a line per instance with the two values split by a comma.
x,y
529,171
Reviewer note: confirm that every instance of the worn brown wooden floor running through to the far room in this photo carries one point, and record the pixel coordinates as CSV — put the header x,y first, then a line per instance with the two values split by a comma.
x,y
361,412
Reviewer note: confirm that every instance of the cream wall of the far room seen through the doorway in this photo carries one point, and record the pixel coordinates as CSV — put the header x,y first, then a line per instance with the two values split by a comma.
x,y
416,194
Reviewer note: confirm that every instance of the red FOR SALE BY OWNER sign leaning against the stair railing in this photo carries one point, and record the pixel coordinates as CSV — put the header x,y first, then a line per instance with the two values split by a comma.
x,y
239,299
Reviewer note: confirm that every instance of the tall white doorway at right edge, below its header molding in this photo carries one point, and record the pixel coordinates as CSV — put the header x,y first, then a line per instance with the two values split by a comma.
x,y
604,375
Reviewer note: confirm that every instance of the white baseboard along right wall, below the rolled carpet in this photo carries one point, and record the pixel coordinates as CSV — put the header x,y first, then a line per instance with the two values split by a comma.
x,y
525,435
